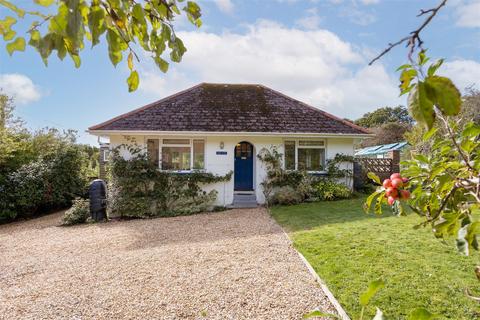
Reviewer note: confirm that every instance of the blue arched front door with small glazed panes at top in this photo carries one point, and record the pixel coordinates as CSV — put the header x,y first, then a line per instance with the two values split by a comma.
x,y
243,166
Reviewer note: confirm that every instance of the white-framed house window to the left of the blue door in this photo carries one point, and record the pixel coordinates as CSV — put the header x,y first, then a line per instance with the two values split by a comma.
x,y
177,154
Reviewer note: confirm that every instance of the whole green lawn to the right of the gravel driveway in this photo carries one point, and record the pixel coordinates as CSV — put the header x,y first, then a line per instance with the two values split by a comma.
x,y
349,248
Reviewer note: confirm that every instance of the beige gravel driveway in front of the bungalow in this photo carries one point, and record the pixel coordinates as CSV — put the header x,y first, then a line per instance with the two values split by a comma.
x,y
236,264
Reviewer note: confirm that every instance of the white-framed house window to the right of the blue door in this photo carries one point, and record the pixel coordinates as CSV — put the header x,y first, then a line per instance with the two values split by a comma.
x,y
306,155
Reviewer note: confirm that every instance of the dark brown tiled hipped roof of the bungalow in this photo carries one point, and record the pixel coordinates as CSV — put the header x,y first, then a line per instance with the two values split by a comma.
x,y
230,108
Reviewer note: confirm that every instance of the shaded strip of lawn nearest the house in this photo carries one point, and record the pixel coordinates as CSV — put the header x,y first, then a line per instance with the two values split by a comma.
x,y
308,216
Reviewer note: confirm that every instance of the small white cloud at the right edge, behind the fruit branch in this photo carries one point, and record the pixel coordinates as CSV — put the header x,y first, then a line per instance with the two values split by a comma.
x,y
463,73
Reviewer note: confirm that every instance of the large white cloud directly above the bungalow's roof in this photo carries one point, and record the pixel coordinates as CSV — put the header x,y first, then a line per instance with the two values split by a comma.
x,y
314,66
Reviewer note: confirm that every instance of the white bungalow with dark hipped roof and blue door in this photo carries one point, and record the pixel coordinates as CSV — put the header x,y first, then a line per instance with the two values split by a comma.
x,y
220,128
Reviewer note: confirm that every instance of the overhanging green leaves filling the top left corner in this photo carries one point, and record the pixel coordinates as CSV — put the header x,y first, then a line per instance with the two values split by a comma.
x,y
67,24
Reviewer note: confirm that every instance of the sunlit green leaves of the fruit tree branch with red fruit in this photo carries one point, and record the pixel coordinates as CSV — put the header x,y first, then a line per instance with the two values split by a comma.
x,y
446,181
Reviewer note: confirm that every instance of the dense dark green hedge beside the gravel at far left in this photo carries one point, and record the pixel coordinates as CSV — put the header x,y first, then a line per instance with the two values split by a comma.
x,y
39,170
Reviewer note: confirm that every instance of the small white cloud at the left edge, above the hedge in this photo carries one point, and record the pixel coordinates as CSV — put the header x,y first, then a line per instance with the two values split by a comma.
x,y
20,87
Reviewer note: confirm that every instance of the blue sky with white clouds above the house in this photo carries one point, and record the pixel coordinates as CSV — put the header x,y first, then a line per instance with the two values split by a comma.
x,y
316,51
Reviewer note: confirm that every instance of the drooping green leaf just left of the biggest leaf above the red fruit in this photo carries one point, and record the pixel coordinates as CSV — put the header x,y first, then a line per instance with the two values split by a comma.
x,y
420,106
